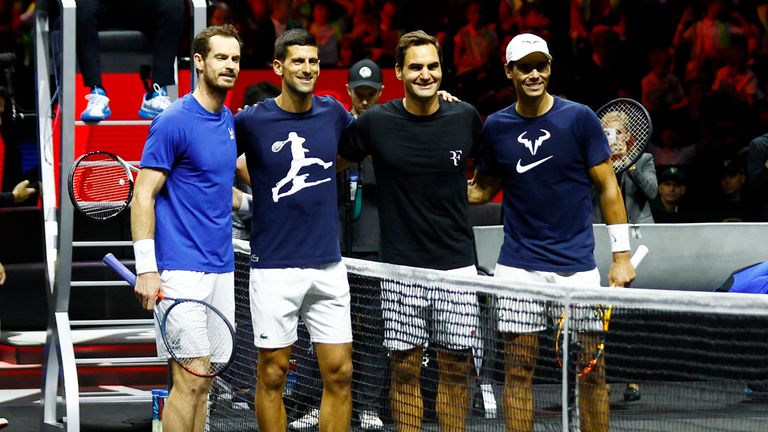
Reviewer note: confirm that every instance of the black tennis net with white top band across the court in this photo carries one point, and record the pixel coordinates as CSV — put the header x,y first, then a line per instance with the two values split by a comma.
x,y
694,355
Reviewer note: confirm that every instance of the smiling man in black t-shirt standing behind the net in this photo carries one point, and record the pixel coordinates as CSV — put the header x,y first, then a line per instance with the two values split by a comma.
x,y
419,147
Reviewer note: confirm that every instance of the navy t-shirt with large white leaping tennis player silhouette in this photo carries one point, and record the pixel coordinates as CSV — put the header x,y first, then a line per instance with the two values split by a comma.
x,y
292,163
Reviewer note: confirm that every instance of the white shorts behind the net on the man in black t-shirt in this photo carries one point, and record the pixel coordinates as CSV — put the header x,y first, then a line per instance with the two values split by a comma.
x,y
454,314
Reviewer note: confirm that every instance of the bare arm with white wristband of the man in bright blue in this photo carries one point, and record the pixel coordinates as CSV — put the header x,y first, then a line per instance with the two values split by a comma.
x,y
148,184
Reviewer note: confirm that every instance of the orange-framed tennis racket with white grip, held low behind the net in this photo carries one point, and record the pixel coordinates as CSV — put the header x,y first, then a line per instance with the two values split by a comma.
x,y
583,359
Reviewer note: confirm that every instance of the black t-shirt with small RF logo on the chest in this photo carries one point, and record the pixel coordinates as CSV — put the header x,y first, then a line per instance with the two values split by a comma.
x,y
421,172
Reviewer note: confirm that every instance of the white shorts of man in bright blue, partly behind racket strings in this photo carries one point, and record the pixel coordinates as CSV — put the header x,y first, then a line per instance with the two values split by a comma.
x,y
193,326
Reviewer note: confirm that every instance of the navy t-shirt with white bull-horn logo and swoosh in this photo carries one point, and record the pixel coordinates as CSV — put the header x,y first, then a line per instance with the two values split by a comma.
x,y
543,163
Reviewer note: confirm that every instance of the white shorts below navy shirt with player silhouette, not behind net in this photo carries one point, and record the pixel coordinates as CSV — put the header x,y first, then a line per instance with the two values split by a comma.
x,y
320,295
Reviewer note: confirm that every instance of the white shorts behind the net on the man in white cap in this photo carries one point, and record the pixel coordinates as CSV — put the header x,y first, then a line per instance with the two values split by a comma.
x,y
519,315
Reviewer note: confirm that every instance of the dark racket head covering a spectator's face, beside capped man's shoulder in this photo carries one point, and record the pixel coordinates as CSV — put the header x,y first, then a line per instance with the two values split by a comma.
x,y
628,127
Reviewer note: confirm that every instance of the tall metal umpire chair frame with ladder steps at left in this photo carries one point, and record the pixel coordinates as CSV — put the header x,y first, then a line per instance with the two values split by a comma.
x,y
60,367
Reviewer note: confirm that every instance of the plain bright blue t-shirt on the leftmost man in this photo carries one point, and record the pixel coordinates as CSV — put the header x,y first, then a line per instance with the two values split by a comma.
x,y
193,210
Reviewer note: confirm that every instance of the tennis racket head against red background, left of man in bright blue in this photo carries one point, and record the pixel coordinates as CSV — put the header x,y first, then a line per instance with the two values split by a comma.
x,y
101,185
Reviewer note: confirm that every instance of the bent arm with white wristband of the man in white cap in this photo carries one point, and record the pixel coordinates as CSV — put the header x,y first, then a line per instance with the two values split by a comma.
x,y
621,272
